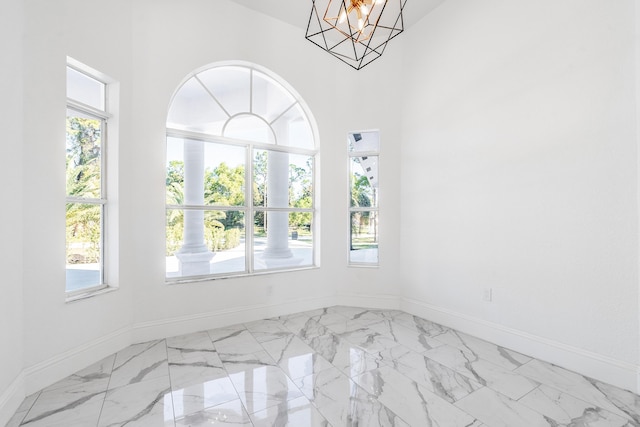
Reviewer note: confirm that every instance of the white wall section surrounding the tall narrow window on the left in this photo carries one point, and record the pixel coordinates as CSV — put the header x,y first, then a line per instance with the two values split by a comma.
x,y
61,337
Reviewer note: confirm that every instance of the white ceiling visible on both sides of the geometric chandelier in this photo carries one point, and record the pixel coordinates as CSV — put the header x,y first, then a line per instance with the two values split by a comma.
x,y
297,12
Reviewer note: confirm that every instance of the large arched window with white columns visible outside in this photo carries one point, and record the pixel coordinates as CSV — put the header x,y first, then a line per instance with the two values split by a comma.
x,y
241,167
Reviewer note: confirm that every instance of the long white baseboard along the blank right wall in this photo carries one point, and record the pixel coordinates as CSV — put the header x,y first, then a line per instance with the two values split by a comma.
x,y
603,368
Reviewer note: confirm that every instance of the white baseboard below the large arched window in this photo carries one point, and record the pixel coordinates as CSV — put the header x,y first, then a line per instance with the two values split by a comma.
x,y
164,328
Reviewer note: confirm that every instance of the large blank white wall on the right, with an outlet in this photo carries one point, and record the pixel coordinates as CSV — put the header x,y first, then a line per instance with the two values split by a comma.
x,y
520,175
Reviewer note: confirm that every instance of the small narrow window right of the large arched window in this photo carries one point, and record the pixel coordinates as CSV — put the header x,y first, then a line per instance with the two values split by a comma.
x,y
363,211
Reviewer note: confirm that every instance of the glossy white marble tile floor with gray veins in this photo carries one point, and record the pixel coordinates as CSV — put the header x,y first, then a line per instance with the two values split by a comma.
x,y
338,366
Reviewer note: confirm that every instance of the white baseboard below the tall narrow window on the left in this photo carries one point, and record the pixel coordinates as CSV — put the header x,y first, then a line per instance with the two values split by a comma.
x,y
62,365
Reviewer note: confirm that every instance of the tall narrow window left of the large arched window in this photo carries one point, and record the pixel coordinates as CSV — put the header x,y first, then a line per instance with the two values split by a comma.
x,y
85,180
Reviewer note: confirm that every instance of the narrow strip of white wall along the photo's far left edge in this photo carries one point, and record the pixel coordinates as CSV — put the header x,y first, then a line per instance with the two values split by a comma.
x,y
11,312
